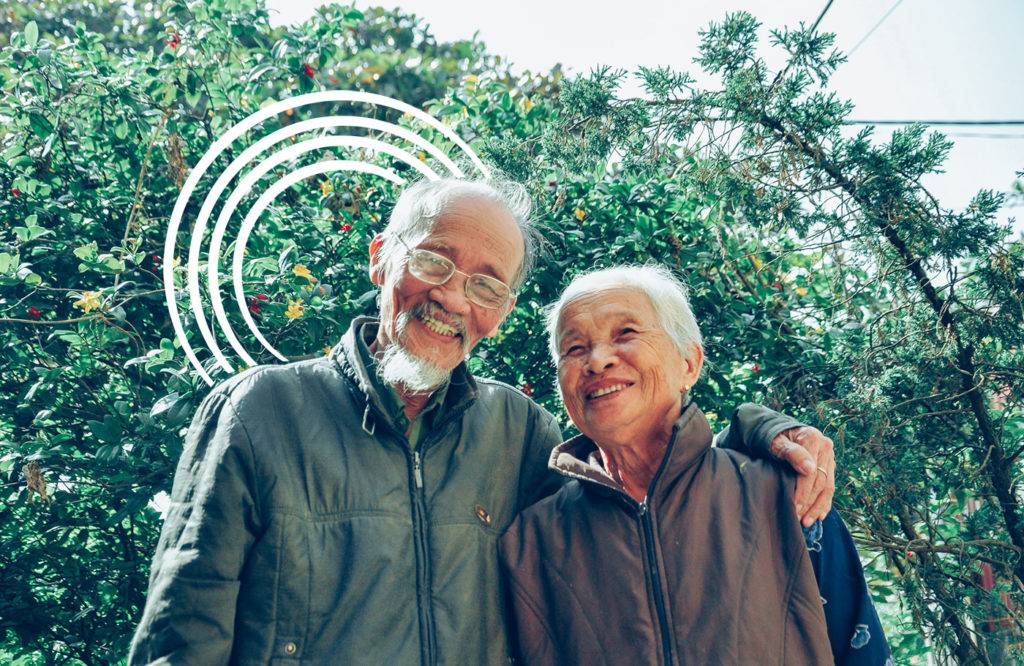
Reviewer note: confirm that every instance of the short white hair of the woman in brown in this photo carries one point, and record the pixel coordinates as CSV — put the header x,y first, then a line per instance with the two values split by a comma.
x,y
667,295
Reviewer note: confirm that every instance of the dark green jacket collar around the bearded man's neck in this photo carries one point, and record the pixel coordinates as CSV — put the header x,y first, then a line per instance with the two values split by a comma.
x,y
462,390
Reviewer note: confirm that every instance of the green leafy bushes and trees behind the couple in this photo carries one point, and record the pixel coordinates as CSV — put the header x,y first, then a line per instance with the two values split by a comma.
x,y
829,283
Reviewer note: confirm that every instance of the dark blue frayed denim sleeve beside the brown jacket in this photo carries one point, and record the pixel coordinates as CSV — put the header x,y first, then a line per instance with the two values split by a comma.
x,y
855,630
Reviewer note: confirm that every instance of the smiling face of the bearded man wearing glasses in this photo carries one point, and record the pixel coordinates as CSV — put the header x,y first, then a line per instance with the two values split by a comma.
x,y
438,323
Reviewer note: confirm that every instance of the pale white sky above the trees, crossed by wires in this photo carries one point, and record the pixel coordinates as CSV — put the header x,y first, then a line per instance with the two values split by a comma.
x,y
930,60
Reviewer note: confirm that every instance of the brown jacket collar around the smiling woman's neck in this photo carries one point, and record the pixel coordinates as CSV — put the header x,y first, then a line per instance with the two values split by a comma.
x,y
691,439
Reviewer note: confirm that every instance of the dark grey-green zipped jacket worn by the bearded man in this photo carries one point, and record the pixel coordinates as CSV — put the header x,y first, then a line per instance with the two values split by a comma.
x,y
305,529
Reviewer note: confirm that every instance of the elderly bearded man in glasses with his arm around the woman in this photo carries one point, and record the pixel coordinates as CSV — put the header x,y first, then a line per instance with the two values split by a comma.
x,y
347,510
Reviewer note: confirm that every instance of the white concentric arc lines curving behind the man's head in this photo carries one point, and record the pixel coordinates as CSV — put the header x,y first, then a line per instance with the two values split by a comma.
x,y
244,187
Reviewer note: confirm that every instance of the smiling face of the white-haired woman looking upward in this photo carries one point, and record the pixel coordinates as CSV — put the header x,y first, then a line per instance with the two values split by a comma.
x,y
620,373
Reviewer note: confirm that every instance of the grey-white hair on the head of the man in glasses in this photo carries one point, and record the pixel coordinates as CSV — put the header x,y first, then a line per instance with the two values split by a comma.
x,y
421,204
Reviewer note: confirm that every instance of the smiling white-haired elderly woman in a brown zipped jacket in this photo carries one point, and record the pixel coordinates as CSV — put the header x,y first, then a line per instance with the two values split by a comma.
x,y
664,550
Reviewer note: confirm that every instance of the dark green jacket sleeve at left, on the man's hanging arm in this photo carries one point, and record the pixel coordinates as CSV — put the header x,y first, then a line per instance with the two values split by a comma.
x,y
211,524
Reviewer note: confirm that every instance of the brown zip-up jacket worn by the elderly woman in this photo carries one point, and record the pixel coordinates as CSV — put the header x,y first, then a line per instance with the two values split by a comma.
x,y
711,569
